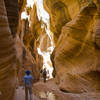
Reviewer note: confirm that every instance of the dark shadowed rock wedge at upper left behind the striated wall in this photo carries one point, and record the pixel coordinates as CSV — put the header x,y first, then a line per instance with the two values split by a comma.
x,y
12,14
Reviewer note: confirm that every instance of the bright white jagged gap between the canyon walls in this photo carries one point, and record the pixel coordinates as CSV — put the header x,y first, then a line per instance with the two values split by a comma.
x,y
46,45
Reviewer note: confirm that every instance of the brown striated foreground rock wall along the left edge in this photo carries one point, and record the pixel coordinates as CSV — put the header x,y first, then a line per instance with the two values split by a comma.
x,y
7,54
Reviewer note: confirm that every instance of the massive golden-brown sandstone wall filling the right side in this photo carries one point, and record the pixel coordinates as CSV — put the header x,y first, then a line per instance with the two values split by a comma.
x,y
76,54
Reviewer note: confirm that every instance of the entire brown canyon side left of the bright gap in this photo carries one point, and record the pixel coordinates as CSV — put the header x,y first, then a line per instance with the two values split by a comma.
x,y
15,55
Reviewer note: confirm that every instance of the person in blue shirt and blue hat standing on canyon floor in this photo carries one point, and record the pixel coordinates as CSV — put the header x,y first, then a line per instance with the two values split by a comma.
x,y
28,80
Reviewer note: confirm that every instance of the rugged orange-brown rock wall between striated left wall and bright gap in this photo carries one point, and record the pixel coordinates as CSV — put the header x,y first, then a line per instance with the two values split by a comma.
x,y
27,41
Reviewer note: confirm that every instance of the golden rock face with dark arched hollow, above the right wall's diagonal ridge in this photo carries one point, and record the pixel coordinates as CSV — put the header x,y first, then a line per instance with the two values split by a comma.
x,y
59,16
